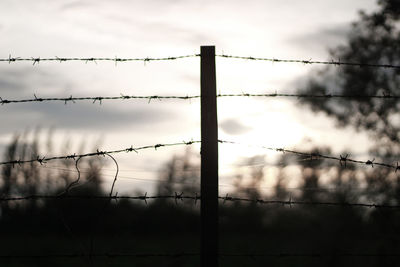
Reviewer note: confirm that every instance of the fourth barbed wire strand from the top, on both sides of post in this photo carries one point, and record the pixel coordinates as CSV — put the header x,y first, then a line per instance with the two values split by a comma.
x,y
180,197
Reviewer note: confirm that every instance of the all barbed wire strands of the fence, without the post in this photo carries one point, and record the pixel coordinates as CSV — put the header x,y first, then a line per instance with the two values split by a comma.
x,y
180,197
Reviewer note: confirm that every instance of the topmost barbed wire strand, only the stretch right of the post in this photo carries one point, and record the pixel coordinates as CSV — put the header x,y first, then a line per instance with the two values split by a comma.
x,y
310,61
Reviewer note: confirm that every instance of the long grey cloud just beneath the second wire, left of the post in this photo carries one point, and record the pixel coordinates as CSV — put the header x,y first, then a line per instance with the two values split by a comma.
x,y
17,117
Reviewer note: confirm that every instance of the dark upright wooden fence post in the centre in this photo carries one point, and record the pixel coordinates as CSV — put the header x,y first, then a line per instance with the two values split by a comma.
x,y
209,159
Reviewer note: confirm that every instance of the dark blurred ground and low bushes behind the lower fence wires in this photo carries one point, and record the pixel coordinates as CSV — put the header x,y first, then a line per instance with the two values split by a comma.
x,y
82,232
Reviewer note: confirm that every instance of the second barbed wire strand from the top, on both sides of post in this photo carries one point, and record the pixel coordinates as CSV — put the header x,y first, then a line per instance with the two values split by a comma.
x,y
99,99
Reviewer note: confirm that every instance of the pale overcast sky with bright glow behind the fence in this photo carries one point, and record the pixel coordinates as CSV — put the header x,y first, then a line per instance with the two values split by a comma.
x,y
301,29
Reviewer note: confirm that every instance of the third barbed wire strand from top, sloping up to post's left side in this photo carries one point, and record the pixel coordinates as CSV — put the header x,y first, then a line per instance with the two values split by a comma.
x,y
43,160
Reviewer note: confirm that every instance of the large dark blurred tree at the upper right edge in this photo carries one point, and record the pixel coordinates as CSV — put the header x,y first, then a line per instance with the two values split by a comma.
x,y
374,39
